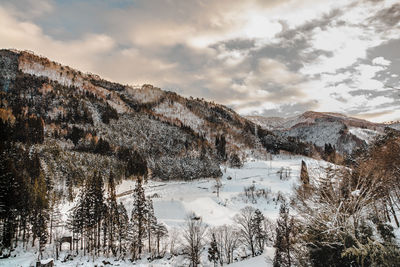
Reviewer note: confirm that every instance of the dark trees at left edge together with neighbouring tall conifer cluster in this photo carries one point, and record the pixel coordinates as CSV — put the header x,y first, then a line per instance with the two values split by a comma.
x,y
99,225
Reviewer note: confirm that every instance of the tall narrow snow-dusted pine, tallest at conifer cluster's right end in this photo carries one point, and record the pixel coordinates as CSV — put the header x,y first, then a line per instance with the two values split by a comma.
x,y
139,216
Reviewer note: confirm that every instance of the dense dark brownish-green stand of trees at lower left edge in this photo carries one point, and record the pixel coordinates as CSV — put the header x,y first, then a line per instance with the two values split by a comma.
x,y
25,199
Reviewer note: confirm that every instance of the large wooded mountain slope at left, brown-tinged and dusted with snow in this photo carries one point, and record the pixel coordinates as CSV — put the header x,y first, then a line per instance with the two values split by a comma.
x,y
71,124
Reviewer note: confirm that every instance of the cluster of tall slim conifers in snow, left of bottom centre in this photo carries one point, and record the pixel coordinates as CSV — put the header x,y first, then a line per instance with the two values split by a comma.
x,y
101,226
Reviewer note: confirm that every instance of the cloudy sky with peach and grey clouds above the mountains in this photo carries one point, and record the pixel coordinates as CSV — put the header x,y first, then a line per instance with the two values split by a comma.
x,y
265,57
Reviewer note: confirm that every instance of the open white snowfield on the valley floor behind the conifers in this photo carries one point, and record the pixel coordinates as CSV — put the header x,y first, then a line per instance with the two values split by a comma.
x,y
177,198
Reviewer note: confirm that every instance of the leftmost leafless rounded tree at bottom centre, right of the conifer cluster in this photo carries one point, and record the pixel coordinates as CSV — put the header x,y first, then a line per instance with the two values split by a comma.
x,y
193,234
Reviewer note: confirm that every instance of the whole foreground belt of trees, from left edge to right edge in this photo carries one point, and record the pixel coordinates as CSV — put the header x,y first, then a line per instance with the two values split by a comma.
x,y
346,216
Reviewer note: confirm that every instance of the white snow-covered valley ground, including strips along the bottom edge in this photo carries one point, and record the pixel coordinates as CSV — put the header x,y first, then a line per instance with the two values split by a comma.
x,y
174,200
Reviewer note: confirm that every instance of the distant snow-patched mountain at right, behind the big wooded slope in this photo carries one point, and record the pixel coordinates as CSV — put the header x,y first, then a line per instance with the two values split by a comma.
x,y
343,132
